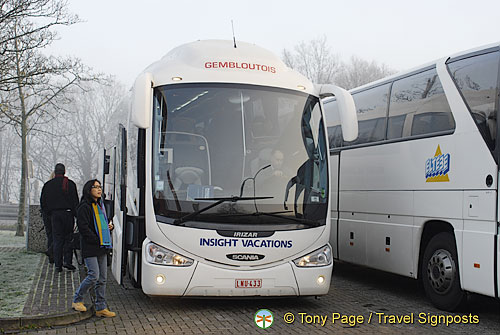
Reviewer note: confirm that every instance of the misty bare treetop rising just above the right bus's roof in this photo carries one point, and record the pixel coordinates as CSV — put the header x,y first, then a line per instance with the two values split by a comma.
x,y
359,72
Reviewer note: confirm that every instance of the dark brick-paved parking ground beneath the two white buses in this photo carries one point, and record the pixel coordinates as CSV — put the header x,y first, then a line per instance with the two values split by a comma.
x,y
396,305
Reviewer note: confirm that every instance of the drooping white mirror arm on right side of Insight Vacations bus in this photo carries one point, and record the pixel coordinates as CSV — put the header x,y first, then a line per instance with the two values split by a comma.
x,y
347,110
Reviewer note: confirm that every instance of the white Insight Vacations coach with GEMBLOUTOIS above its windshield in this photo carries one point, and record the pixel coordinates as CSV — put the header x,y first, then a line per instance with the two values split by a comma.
x,y
219,185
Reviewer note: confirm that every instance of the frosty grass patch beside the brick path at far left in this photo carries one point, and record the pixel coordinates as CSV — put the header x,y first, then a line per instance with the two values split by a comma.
x,y
17,271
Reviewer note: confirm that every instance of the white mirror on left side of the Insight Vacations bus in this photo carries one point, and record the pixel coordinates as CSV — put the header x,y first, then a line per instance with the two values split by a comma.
x,y
142,101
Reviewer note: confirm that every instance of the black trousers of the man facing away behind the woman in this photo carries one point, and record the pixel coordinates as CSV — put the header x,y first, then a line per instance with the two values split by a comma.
x,y
62,231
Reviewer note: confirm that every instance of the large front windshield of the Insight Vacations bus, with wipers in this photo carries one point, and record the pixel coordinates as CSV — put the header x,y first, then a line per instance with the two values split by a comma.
x,y
212,141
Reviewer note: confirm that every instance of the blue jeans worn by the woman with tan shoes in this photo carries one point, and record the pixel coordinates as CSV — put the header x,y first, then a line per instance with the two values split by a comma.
x,y
96,276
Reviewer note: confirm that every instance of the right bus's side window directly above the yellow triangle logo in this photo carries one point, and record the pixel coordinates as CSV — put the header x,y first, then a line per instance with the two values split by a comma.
x,y
418,106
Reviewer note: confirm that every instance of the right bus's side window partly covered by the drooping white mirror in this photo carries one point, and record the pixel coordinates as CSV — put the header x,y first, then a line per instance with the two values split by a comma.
x,y
371,107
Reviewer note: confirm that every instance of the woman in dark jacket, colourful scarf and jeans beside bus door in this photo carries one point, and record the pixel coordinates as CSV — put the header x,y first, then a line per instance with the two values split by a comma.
x,y
95,236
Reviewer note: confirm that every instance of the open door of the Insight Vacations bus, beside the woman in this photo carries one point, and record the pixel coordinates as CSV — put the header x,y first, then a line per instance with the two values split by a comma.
x,y
119,260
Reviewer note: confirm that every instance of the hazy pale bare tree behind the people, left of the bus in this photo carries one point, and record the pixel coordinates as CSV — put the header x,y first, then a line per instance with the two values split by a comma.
x,y
75,136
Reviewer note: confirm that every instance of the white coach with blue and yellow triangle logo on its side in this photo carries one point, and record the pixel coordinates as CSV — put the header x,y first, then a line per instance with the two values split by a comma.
x,y
416,193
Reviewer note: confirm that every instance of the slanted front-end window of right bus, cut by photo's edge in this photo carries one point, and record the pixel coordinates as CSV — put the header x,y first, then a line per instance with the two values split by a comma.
x,y
477,79
